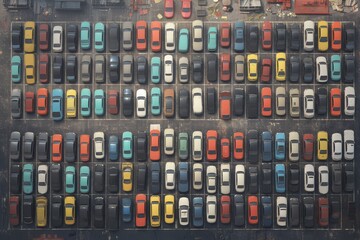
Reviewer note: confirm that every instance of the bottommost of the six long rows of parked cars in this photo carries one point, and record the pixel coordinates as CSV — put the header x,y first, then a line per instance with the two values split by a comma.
x,y
155,210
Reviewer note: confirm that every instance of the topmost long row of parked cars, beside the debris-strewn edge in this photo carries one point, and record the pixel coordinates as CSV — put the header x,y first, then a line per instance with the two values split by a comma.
x,y
335,35
